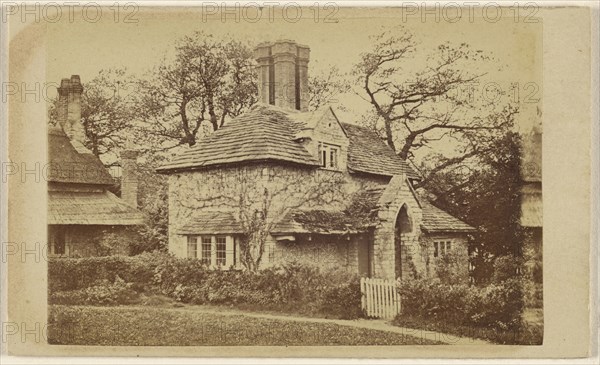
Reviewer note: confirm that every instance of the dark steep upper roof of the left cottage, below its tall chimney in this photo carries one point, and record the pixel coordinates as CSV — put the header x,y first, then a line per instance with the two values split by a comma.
x,y
67,165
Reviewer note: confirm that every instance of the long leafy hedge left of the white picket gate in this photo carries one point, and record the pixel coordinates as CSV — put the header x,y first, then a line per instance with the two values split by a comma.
x,y
292,287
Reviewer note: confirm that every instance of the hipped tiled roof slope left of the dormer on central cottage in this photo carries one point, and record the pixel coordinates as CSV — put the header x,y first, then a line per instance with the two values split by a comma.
x,y
263,133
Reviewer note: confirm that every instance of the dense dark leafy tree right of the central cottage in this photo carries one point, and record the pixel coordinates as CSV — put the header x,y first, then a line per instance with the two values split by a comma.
x,y
487,197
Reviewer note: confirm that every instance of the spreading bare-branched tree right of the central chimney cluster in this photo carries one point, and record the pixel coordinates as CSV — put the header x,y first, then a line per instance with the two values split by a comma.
x,y
422,99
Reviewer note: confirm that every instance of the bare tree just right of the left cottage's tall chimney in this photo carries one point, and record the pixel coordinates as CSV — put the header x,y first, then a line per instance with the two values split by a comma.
x,y
108,108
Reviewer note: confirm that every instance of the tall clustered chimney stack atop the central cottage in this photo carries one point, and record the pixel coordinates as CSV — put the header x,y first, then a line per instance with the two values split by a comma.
x,y
283,74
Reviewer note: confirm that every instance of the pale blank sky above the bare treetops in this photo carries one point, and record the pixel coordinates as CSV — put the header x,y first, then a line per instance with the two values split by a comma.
x,y
335,37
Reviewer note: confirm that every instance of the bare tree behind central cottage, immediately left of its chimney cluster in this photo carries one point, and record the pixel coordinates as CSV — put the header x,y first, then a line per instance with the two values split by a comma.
x,y
208,81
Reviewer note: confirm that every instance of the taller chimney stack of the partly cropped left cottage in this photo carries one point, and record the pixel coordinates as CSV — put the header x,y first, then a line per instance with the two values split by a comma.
x,y
69,108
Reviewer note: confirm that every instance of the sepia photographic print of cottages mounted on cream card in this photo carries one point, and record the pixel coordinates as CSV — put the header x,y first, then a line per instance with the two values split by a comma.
x,y
289,175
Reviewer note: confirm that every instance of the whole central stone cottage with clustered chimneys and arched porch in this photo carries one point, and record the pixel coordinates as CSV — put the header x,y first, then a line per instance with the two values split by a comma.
x,y
313,188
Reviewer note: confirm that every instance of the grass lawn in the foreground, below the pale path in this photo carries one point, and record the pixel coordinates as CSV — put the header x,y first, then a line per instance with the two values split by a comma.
x,y
136,326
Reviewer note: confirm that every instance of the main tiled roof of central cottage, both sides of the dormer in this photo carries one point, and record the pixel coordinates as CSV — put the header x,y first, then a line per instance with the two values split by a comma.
x,y
266,132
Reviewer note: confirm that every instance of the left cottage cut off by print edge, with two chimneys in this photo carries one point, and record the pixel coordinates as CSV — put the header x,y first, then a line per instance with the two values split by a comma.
x,y
82,212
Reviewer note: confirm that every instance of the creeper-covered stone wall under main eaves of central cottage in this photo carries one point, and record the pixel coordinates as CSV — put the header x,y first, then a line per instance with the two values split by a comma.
x,y
280,188
